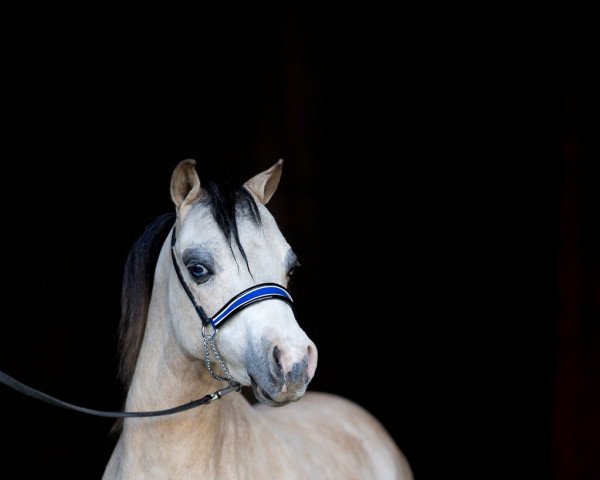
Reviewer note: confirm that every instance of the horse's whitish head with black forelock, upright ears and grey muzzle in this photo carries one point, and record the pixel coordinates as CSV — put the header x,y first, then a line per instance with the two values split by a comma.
x,y
227,242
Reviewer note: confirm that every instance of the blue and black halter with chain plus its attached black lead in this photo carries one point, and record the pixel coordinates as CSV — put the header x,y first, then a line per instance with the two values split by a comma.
x,y
250,296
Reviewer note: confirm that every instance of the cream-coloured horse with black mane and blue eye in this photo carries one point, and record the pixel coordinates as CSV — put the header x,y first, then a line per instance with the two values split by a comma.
x,y
227,242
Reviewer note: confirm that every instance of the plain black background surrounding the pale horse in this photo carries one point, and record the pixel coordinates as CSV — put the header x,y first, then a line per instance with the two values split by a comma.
x,y
439,187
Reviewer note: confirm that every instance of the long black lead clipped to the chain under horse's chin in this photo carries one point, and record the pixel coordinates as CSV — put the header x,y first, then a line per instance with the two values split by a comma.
x,y
44,397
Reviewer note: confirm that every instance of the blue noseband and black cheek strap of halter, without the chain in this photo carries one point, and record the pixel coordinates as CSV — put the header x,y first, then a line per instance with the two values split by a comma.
x,y
250,296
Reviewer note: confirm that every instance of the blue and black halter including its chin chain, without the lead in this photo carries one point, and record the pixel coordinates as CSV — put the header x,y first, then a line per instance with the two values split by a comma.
x,y
250,296
